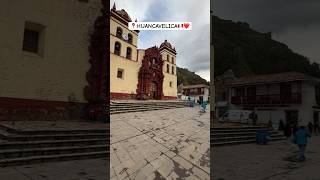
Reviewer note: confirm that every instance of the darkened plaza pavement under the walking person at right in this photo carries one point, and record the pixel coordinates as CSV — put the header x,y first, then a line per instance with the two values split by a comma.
x,y
275,161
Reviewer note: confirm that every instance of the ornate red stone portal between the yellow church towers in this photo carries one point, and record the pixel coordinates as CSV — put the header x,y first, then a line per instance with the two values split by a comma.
x,y
150,80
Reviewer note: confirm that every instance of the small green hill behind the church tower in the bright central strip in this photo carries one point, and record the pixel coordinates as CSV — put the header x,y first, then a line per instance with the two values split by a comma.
x,y
189,78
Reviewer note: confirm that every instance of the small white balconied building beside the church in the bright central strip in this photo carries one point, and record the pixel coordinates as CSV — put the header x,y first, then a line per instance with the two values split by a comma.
x,y
199,92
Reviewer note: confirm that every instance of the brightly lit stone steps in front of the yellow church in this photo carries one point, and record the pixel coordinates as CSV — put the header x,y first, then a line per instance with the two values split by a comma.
x,y
126,107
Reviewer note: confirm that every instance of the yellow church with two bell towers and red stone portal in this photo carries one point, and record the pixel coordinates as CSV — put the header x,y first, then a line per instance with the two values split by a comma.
x,y
142,74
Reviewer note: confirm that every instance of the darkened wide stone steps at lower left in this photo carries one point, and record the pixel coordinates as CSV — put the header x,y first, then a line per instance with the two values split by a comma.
x,y
27,147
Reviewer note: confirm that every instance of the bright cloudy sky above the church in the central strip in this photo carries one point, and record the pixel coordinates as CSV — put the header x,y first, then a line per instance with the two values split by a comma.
x,y
193,47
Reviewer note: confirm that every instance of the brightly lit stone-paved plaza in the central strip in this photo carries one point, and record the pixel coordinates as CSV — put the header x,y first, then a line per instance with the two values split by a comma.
x,y
163,144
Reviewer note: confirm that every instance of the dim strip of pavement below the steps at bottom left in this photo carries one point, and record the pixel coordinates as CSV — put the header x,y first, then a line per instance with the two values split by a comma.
x,y
92,169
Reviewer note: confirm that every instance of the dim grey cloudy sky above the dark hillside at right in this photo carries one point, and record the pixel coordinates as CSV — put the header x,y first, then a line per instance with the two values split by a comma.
x,y
293,22
